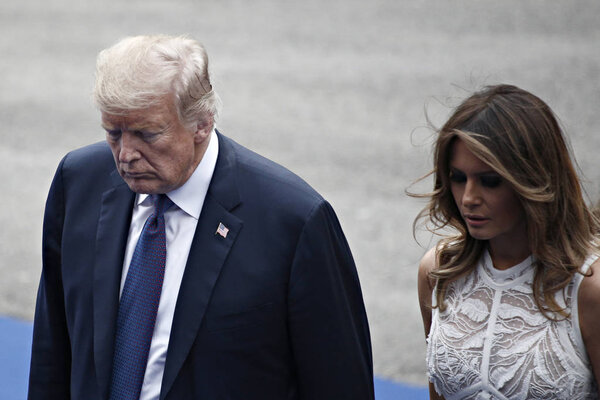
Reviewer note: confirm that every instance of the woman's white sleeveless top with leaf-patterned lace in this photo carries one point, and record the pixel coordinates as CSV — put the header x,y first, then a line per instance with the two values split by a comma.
x,y
492,342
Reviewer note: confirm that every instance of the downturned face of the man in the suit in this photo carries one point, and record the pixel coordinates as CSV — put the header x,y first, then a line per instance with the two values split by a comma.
x,y
153,151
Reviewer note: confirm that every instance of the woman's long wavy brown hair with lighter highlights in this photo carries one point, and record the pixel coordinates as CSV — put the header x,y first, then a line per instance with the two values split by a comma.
x,y
518,136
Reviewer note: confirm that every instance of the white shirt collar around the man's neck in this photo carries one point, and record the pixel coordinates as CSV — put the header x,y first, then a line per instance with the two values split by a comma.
x,y
190,196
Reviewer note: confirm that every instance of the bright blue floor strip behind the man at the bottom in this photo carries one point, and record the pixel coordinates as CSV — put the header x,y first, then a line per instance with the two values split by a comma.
x,y
15,339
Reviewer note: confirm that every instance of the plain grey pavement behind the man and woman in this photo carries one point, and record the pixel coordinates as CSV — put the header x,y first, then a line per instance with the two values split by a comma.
x,y
334,90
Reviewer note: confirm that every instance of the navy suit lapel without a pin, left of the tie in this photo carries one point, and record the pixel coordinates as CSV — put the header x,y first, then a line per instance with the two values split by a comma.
x,y
111,239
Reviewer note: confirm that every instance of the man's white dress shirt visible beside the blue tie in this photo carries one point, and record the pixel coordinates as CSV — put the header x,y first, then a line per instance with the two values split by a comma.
x,y
180,224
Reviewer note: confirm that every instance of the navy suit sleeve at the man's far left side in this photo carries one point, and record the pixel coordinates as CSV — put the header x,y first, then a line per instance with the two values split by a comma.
x,y
49,374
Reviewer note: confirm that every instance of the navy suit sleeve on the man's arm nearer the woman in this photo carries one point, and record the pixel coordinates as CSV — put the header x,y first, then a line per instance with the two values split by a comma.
x,y
327,319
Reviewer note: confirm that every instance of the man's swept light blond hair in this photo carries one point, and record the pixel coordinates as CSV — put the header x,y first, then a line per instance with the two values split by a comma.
x,y
138,72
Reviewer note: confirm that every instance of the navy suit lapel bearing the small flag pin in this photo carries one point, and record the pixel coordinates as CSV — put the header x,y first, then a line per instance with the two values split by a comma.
x,y
207,255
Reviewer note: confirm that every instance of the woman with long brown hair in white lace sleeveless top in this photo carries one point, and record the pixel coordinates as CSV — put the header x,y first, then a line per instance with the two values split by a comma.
x,y
511,300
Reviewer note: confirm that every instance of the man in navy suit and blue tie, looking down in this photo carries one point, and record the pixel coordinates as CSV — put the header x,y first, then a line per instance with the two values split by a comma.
x,y
238,284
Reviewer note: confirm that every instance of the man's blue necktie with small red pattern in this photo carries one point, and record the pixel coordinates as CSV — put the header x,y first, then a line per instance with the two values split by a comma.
x,y
139,304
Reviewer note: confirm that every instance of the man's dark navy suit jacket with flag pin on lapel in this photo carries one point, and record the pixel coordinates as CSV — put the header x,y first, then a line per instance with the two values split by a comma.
x,y
272,311
